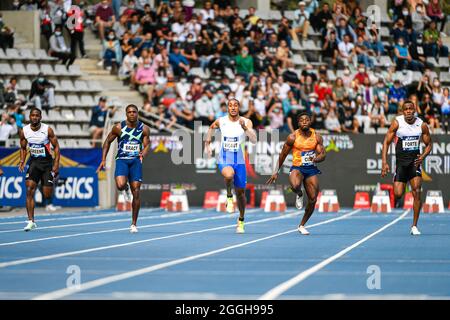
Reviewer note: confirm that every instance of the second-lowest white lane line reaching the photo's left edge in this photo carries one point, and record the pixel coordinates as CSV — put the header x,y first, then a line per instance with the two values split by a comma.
x,y
119,229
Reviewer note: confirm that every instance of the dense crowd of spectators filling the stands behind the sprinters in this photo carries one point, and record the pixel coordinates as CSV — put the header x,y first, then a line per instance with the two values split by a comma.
x,y
189,63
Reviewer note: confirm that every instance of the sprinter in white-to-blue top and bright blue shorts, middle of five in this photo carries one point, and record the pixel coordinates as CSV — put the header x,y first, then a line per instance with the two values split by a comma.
x,y
231,161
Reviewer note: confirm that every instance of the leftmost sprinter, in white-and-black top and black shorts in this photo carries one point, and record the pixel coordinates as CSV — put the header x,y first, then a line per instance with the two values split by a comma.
x,y
42,167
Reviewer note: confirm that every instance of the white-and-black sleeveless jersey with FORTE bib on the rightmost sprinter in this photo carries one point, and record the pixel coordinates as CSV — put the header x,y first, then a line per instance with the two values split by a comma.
x,y
408,140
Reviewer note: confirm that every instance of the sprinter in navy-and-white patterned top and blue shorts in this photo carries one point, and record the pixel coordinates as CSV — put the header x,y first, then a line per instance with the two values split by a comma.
x,y
133,145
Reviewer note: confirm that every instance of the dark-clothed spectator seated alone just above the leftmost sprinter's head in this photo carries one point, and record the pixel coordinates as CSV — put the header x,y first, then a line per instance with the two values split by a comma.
x,y
42,93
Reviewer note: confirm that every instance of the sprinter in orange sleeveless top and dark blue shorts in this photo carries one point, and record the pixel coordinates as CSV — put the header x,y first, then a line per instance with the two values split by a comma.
x,y
307,150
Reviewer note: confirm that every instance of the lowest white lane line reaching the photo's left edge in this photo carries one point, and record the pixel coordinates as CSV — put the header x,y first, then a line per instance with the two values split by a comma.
x,y
120,245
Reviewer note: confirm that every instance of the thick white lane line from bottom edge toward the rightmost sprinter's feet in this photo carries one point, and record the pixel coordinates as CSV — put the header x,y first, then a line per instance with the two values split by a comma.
x,y
283,287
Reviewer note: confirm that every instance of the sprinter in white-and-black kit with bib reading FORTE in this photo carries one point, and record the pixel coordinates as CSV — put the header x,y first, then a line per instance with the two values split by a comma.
x,y
408,132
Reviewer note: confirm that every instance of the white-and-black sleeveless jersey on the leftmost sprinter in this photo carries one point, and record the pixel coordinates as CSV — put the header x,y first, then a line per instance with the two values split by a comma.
x,y
38,142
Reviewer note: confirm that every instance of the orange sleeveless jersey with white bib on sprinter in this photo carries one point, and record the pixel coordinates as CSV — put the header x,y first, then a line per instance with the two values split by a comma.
x,y
304,149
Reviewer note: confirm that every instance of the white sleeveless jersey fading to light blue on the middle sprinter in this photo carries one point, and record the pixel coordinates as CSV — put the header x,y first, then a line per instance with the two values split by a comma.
x,y
232,142
